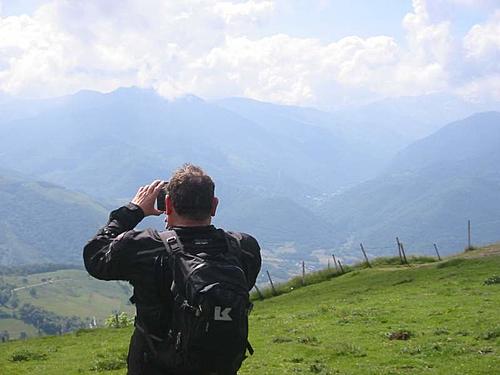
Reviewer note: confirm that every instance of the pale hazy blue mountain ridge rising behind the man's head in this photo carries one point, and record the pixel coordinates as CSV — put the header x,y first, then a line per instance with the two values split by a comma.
x,y
107,145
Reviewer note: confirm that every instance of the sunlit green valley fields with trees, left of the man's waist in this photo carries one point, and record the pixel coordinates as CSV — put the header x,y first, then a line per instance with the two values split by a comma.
x,y
59,296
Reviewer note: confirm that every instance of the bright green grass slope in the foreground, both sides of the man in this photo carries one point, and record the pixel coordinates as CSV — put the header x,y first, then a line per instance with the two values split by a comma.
x,y
437,318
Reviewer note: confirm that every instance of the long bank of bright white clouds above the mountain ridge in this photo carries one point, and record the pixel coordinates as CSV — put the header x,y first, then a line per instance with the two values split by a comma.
x,y
206,47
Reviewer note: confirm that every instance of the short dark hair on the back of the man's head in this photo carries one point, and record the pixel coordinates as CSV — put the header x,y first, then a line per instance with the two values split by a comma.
x,y
191,191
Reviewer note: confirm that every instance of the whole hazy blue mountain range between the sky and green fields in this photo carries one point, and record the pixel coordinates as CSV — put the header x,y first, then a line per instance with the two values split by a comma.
x,y
303,181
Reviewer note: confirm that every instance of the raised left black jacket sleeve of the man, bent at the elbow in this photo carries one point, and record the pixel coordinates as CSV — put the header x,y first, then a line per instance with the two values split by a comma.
x,y
105,255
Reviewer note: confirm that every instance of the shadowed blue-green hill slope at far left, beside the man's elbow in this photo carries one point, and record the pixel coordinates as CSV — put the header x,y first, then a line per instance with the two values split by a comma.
x,y
43,222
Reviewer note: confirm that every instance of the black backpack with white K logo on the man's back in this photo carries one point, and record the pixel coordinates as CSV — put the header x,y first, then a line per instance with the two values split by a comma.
x,y
208,330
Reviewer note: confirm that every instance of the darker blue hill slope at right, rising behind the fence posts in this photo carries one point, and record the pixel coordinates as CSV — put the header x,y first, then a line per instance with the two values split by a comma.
x,y
428,194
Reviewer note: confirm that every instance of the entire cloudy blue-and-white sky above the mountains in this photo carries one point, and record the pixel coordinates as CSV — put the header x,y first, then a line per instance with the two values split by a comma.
x,y
320,53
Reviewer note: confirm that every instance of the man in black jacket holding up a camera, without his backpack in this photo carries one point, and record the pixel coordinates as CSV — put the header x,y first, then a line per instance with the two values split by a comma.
x,y
118,252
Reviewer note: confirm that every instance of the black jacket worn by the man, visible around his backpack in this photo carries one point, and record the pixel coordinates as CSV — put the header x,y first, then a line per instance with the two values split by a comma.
x,y
117,252
